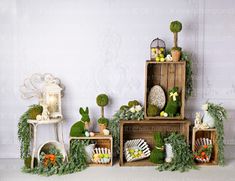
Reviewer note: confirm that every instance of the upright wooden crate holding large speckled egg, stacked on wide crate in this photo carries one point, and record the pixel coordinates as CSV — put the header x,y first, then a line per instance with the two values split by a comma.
x,y
167,75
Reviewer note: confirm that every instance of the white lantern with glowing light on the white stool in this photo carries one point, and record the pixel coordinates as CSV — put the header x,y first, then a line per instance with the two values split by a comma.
x,y
52,98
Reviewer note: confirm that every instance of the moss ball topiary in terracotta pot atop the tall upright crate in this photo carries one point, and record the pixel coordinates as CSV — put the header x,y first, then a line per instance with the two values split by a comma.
x,y
175,28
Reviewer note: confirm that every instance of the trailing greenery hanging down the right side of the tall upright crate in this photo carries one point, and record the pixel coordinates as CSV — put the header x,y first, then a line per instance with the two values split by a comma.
x,y
189,80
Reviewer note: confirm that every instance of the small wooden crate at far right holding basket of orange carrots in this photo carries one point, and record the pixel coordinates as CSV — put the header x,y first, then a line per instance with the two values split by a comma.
x,y
207,133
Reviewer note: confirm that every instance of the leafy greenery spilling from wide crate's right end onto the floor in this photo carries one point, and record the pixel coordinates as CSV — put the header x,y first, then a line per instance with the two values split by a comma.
x,y
183,157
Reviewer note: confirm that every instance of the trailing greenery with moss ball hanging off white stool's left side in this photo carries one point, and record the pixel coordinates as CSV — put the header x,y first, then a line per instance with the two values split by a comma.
x,y
24,130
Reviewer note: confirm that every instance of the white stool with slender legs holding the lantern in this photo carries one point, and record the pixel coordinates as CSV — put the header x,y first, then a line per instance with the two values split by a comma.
x,y
58,122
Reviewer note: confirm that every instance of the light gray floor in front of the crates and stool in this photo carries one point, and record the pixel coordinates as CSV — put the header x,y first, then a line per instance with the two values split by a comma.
x,y
10,171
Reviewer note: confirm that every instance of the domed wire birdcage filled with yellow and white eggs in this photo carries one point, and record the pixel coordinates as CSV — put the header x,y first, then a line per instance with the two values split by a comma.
x,y
157,50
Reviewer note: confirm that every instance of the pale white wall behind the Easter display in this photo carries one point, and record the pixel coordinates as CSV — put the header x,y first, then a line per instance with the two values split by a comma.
x,y
101,46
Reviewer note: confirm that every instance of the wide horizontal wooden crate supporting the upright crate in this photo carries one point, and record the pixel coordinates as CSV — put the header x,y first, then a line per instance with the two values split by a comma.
x,y
145,129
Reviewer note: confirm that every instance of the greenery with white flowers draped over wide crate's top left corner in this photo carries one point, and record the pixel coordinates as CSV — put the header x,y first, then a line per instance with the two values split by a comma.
x,y
124,113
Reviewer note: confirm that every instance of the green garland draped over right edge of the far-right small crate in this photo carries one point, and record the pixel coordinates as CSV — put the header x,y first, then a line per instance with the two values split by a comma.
x,y
219,114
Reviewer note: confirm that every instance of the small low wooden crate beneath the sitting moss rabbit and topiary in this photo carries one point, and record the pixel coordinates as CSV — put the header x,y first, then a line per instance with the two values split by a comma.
x,y
101,141
